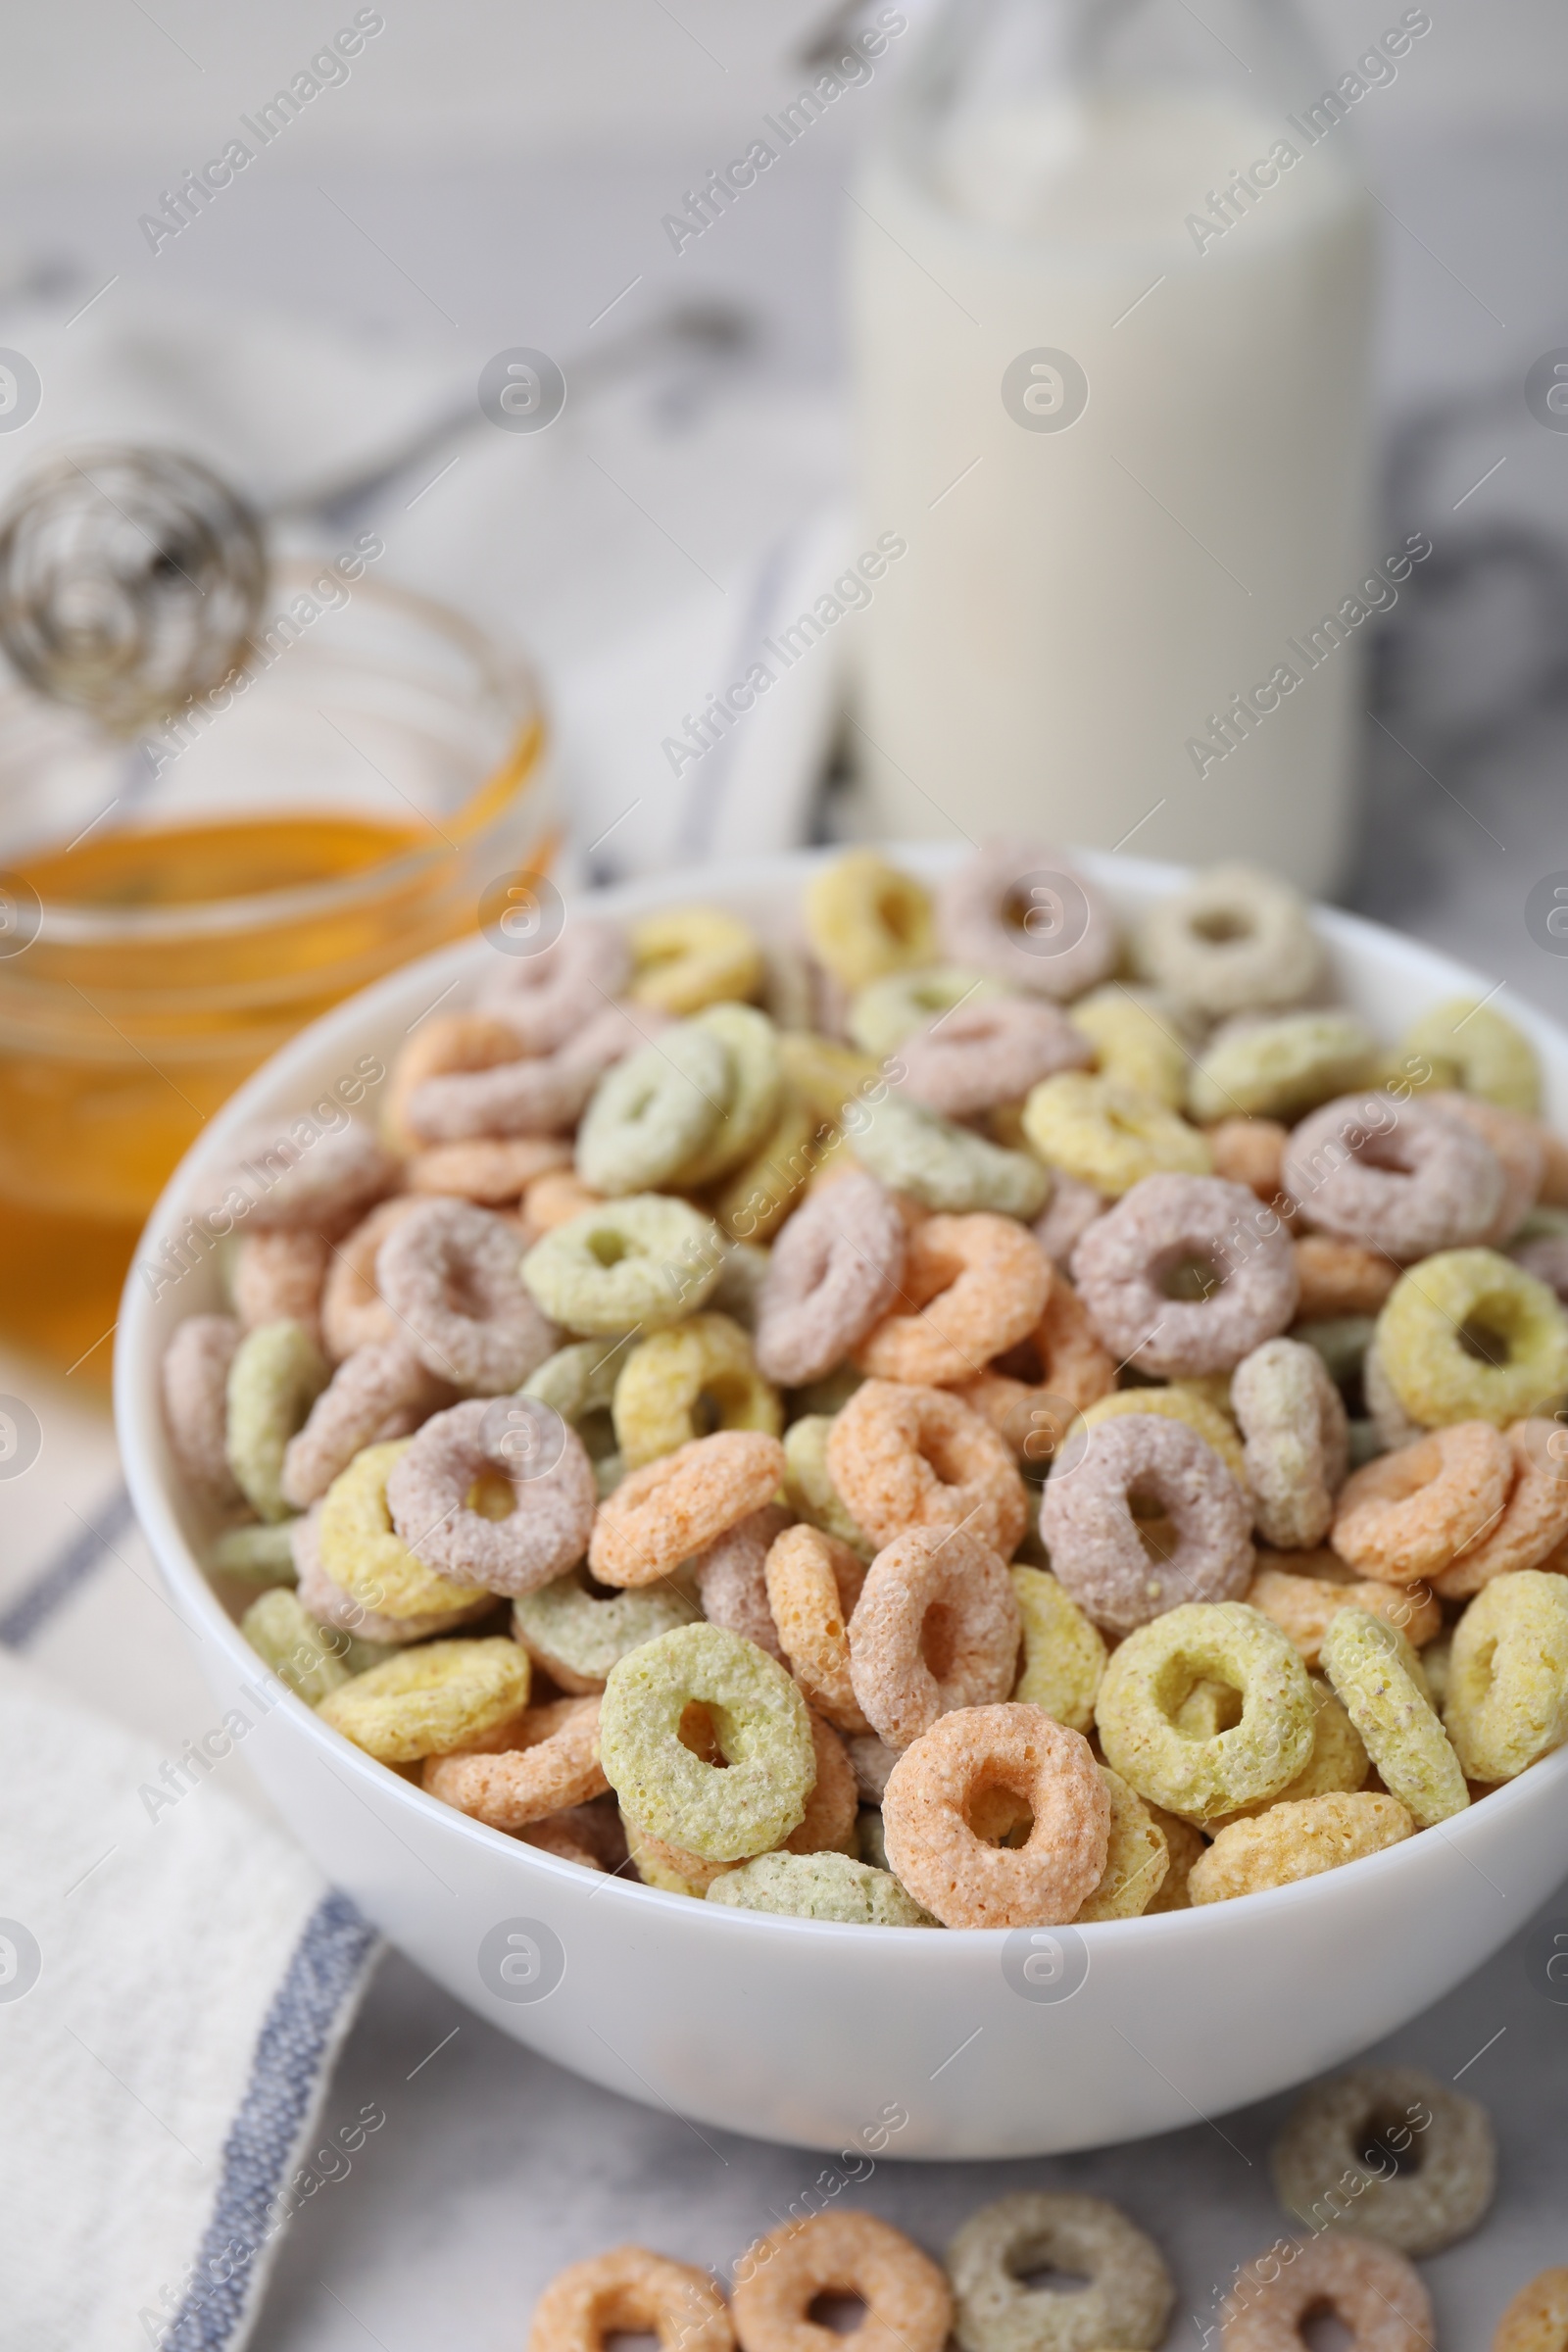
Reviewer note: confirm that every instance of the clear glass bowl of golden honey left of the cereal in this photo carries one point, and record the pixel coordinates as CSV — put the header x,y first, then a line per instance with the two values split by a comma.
x,y
175,909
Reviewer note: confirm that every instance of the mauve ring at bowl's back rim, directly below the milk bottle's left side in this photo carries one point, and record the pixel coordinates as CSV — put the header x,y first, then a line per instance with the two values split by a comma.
x,y
1021,911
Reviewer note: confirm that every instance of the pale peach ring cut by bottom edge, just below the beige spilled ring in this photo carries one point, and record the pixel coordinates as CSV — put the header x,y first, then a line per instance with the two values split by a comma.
x,y
1367,2287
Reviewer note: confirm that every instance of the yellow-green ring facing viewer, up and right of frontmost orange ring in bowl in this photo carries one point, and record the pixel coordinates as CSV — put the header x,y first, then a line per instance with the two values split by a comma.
x,y
1155,1671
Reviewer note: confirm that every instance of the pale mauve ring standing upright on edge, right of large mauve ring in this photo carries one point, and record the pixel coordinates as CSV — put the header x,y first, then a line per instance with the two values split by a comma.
x,y
1296,1441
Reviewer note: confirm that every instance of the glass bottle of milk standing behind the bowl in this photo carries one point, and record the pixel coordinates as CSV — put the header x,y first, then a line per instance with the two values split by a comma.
x,y
1111,300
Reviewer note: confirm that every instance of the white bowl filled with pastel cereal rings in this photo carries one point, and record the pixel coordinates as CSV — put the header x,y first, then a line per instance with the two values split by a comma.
x,y
927,1488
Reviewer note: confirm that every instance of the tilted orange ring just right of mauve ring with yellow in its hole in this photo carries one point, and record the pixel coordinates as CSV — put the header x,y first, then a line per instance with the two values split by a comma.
x,y
681,1504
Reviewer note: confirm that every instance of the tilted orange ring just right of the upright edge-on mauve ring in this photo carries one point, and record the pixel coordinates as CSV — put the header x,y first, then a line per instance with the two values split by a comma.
x,y
1412,1514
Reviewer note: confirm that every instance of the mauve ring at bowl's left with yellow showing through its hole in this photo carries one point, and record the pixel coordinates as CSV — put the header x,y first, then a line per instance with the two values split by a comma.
x,y
540,1539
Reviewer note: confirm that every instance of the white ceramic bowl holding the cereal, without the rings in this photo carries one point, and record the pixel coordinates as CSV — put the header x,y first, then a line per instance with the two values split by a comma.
x,y
796,2031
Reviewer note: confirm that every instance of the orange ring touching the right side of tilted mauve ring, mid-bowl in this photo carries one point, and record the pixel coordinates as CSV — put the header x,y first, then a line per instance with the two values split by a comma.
x,y
972,1288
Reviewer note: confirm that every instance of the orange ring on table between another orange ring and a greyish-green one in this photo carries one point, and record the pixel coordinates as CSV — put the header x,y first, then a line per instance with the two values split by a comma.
x,y
909,2304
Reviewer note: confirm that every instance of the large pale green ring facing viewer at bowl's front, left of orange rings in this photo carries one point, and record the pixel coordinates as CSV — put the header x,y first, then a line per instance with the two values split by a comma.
x,y
723,1812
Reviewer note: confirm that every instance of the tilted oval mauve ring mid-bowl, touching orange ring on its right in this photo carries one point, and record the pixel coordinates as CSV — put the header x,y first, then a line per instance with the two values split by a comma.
x,y
833,1274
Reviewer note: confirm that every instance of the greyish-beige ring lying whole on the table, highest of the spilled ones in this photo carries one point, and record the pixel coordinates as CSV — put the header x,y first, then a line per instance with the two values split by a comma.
x,y
1421,2212
